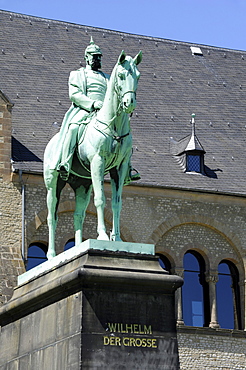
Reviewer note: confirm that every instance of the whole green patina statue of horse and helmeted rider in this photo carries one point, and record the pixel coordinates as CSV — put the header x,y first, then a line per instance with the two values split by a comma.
x,y
95,139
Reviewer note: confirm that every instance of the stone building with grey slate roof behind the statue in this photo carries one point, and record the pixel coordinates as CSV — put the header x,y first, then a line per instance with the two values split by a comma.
x,y
191,212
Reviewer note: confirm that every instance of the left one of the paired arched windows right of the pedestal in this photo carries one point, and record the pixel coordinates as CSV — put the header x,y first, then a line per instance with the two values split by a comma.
x,y
195,292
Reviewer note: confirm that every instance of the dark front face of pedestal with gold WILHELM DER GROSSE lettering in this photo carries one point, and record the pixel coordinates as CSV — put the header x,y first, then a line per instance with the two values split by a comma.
x,y
132,330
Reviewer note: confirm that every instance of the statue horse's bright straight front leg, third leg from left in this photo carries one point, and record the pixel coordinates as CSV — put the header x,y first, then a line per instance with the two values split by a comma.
x,y
97,175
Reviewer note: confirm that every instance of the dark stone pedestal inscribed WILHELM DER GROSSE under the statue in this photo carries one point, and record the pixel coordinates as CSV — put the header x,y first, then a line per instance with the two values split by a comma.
x,y
100,309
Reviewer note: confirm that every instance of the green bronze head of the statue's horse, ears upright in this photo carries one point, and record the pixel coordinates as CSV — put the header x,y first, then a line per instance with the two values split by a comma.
x,y
127,76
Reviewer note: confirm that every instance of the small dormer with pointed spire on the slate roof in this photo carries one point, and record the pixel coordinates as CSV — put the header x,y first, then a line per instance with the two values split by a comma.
x,y
188,152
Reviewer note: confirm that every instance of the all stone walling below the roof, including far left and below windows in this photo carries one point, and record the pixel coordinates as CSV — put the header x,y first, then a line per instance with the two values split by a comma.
x,y
175,221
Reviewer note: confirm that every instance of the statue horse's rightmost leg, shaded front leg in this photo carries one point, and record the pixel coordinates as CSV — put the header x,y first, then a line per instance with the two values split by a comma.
x,y
117,182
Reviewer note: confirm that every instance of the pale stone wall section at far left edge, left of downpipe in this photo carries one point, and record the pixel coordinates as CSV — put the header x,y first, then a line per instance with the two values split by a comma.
x,y
11,263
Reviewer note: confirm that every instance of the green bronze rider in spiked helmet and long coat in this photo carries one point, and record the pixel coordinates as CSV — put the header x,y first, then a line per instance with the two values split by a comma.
x,y
87,89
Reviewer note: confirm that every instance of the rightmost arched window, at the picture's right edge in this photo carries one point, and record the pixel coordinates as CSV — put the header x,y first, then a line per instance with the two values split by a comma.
x,y
228,296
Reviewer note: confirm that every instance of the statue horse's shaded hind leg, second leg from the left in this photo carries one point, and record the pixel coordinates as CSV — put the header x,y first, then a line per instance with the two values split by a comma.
x,y
82,198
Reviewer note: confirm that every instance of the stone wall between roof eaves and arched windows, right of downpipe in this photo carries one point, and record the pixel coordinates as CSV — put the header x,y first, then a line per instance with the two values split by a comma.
x,y
175,221
